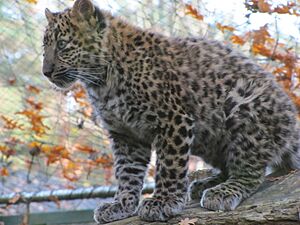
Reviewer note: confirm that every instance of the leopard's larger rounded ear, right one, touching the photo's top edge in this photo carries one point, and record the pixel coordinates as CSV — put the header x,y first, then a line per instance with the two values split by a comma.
x,y
83,9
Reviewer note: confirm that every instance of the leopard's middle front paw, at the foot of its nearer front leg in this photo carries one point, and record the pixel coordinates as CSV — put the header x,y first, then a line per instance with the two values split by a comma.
x,y
155,209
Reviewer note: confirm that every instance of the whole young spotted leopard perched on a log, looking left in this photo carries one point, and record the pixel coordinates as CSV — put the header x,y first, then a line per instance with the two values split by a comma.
x,y
176,97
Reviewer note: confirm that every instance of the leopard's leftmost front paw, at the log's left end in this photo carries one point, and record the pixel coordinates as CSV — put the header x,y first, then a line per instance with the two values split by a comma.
x,y
109,212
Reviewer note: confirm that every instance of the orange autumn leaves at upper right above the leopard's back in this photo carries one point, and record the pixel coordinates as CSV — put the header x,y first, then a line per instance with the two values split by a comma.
x,y
280,58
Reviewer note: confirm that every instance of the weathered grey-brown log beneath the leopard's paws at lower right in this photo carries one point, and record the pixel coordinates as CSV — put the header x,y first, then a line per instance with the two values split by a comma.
x,y
276,202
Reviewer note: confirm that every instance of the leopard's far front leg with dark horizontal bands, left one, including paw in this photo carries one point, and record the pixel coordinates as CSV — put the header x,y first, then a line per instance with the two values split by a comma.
x,y
131,160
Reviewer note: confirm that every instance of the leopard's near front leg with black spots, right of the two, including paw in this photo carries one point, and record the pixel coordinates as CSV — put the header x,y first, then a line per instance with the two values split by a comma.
x,y
172,146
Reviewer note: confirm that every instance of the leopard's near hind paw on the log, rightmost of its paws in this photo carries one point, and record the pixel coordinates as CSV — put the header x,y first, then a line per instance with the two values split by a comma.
x,y
220,198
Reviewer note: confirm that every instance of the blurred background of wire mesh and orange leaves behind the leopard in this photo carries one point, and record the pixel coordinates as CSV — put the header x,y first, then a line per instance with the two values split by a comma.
x,y
48,139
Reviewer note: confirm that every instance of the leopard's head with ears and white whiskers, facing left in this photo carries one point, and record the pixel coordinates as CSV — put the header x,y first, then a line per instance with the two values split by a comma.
x,y
72,44
